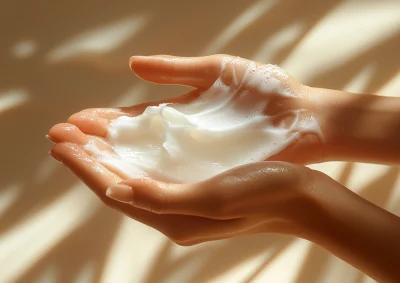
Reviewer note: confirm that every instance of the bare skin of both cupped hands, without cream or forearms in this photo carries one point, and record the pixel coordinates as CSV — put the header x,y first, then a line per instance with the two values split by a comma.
x,y
256,198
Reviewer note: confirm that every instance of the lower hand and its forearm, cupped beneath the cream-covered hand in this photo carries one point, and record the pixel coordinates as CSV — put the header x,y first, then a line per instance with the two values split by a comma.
x,y
264,197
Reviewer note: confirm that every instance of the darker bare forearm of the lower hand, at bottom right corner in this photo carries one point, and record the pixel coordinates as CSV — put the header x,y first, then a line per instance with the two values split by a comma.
x,y
355,230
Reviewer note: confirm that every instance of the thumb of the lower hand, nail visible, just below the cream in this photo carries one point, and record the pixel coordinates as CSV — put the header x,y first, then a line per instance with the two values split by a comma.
x,y
197,199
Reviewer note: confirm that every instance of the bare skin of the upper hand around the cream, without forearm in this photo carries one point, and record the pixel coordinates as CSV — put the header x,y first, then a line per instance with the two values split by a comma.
x,y
201,73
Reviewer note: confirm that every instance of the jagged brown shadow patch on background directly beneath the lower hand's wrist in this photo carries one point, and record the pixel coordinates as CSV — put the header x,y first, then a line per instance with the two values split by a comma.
x,y
219,259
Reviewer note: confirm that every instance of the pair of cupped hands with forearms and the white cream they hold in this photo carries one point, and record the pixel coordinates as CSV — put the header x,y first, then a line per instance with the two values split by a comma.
x,y
192,167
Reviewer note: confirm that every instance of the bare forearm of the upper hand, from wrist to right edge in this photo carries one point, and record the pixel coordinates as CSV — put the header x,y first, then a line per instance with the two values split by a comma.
x,y
357,127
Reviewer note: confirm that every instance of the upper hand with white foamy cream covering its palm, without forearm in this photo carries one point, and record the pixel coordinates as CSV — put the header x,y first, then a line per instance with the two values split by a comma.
x,y
240,112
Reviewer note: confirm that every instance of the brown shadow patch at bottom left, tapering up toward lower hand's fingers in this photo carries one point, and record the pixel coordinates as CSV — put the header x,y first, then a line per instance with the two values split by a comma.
x,y
86,246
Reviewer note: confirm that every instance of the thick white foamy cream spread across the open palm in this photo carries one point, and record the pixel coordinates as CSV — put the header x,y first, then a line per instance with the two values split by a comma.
x,y
222,129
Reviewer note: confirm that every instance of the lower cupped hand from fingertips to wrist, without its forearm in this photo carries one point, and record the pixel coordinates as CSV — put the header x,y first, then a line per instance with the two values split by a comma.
x,y
264,197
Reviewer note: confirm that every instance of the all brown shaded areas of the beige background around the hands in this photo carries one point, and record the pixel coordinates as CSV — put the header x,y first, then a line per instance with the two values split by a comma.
x,y
94,74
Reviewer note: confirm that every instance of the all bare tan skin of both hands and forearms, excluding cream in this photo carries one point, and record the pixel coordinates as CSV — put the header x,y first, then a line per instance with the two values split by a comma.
x,y
274,196
